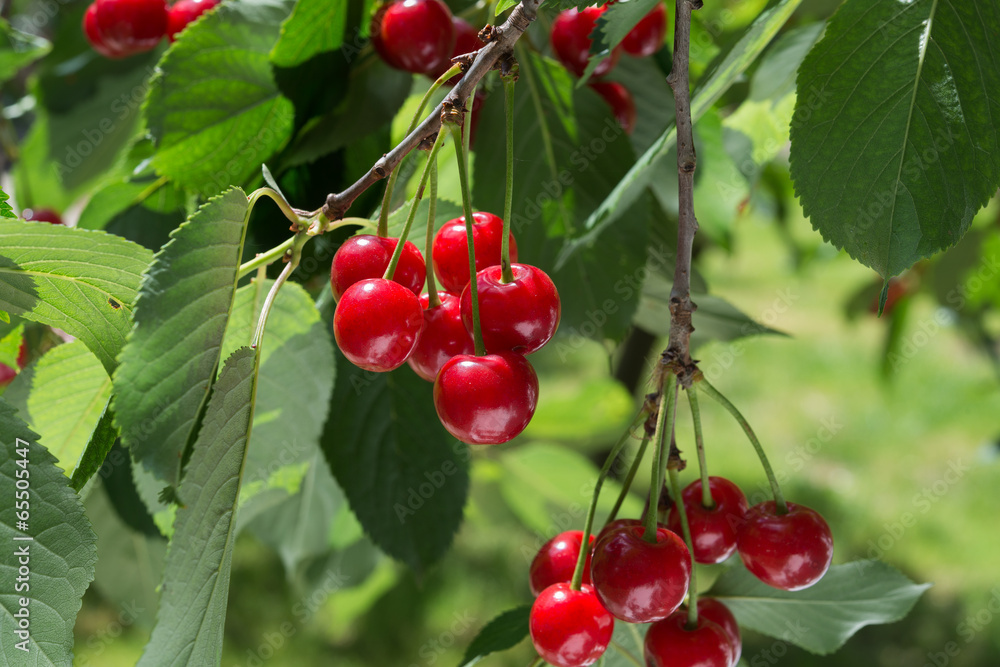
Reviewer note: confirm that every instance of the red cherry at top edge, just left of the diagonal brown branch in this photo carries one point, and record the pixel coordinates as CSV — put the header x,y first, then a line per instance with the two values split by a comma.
x,y
414,35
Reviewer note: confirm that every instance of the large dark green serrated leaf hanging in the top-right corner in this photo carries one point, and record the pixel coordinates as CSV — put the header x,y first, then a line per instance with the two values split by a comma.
x,y
896,132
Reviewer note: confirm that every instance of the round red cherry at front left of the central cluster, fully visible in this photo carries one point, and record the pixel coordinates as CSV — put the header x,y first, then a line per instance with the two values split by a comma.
x,y
376,324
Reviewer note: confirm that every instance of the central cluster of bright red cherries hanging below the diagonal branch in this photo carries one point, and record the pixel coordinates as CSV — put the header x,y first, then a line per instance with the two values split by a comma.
x,y
380,324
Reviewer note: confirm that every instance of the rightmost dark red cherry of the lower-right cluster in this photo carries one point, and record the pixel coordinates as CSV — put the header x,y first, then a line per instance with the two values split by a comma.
x,y
788,551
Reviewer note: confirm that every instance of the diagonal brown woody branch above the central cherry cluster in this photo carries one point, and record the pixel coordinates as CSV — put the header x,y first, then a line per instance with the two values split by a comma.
x,y
498,50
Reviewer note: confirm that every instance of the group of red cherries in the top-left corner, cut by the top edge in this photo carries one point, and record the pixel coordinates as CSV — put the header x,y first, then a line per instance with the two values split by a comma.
x,y
123,28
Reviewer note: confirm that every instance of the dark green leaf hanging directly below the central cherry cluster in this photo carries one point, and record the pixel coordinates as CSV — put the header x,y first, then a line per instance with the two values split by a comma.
x,y
404,476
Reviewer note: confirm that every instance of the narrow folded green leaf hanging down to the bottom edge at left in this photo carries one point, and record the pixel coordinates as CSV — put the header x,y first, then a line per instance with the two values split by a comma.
x,y
195,589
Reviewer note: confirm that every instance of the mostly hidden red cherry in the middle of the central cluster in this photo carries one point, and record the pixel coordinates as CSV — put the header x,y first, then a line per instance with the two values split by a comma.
x,y
443,336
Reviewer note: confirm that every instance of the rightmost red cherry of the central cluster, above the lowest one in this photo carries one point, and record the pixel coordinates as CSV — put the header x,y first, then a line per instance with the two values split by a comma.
x,y
522,315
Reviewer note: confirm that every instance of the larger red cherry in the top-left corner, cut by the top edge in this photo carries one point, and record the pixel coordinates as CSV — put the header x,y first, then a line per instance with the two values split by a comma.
x,y
128,27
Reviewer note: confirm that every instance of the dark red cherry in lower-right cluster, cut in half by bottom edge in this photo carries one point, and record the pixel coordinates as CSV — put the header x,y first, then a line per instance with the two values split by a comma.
x,y
670,644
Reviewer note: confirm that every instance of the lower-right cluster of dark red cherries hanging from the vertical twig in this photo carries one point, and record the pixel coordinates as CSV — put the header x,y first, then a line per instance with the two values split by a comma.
x,y
628,577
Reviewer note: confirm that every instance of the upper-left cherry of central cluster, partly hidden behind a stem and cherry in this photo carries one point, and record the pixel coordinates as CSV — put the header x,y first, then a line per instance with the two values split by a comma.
x,y
365,256
